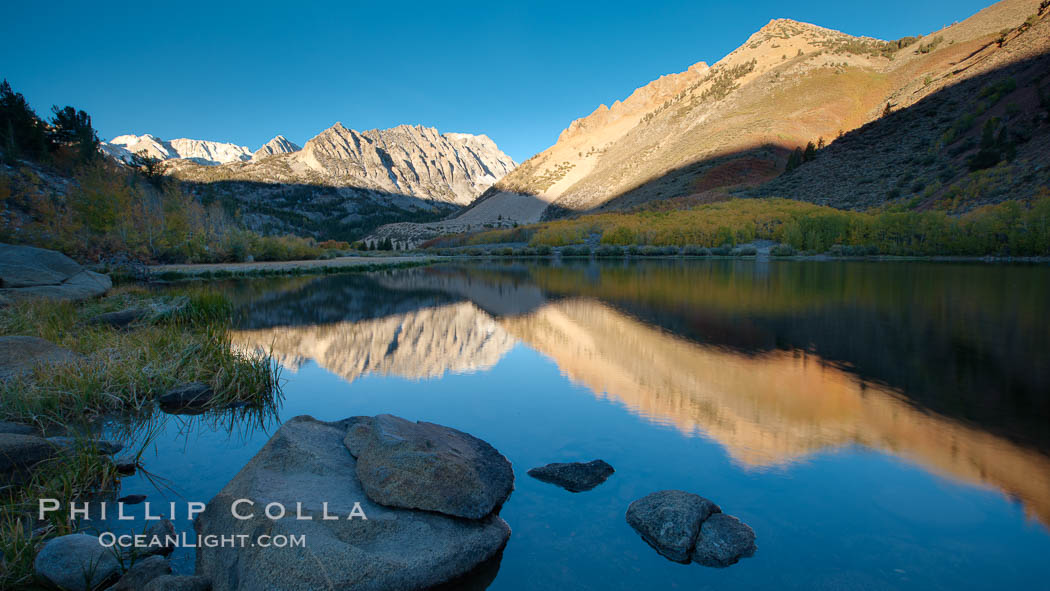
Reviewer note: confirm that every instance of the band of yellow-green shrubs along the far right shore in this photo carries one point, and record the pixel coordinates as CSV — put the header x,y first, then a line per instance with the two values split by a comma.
x,y
1011,228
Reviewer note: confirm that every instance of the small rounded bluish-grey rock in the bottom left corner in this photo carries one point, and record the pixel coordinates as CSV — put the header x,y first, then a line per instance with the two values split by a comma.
x,y
77,562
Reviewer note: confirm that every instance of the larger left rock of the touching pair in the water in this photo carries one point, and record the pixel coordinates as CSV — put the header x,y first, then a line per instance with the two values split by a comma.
x,y
670,521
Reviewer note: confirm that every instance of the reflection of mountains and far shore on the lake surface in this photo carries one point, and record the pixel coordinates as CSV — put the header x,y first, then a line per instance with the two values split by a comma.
x,y
942,366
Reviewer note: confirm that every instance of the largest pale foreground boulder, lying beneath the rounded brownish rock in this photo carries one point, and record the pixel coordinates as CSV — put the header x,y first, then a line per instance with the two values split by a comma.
x,y
307,463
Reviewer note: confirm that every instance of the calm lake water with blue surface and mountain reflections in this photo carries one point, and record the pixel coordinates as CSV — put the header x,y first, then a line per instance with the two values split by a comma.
x,y
880,426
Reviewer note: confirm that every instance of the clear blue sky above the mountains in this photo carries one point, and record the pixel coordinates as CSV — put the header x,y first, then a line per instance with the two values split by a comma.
x,y
519,72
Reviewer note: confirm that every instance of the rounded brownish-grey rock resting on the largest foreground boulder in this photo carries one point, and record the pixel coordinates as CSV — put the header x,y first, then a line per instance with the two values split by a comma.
x,y
428,467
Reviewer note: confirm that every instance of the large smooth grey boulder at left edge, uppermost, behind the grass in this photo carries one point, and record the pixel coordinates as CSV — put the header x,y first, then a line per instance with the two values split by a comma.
x,y
33,272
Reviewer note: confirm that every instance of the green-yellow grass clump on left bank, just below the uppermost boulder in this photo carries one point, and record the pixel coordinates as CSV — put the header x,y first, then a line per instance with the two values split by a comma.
x,y
122,371
